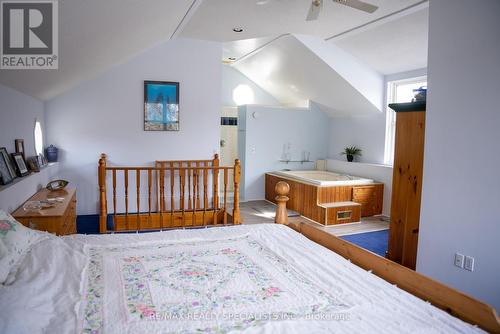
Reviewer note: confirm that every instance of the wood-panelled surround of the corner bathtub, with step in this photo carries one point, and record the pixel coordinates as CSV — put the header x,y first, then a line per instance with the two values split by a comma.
x,y
330,205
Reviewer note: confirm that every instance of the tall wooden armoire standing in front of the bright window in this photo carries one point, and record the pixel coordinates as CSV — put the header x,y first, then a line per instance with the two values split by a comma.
x,y
407,182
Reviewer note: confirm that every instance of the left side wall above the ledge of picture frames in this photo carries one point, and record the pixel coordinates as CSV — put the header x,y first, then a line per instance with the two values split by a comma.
x,y
18,113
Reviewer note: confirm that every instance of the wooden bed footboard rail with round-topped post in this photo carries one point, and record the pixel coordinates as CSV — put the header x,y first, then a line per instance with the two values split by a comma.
x,y
438,294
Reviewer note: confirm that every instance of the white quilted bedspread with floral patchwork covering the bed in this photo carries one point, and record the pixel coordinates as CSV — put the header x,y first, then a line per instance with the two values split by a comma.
x,y
255,279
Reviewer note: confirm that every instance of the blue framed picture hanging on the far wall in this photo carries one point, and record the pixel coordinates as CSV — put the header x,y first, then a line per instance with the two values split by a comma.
x,y
161,106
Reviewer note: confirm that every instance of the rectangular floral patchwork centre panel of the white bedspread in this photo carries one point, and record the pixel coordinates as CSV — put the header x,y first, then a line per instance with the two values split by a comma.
x,y
210,286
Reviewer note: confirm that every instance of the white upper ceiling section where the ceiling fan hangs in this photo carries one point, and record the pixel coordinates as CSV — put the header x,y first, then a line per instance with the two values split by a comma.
x,y
215,19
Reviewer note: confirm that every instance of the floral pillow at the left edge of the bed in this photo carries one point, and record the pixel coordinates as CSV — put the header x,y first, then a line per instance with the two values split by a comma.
x,y
16,240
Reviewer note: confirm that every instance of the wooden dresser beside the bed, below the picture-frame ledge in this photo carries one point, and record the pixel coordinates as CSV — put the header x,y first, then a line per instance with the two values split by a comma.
x,y
59,219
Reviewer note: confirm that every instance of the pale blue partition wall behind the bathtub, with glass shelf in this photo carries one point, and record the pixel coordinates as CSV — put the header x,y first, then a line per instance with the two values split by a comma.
x,y
261,140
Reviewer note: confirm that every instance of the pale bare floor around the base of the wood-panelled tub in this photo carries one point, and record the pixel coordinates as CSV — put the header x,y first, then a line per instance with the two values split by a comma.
x,y
258,212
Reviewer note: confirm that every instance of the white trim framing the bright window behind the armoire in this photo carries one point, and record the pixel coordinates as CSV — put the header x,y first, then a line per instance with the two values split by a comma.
x,y
390,123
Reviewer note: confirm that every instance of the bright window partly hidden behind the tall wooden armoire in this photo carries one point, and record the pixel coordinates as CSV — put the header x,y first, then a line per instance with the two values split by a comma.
x,y
397,92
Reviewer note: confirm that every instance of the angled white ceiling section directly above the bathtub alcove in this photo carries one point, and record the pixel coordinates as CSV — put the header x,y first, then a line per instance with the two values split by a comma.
x,y
294,74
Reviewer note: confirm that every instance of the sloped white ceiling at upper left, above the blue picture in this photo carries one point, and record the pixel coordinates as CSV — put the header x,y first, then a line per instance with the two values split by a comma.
x,y
95,35
